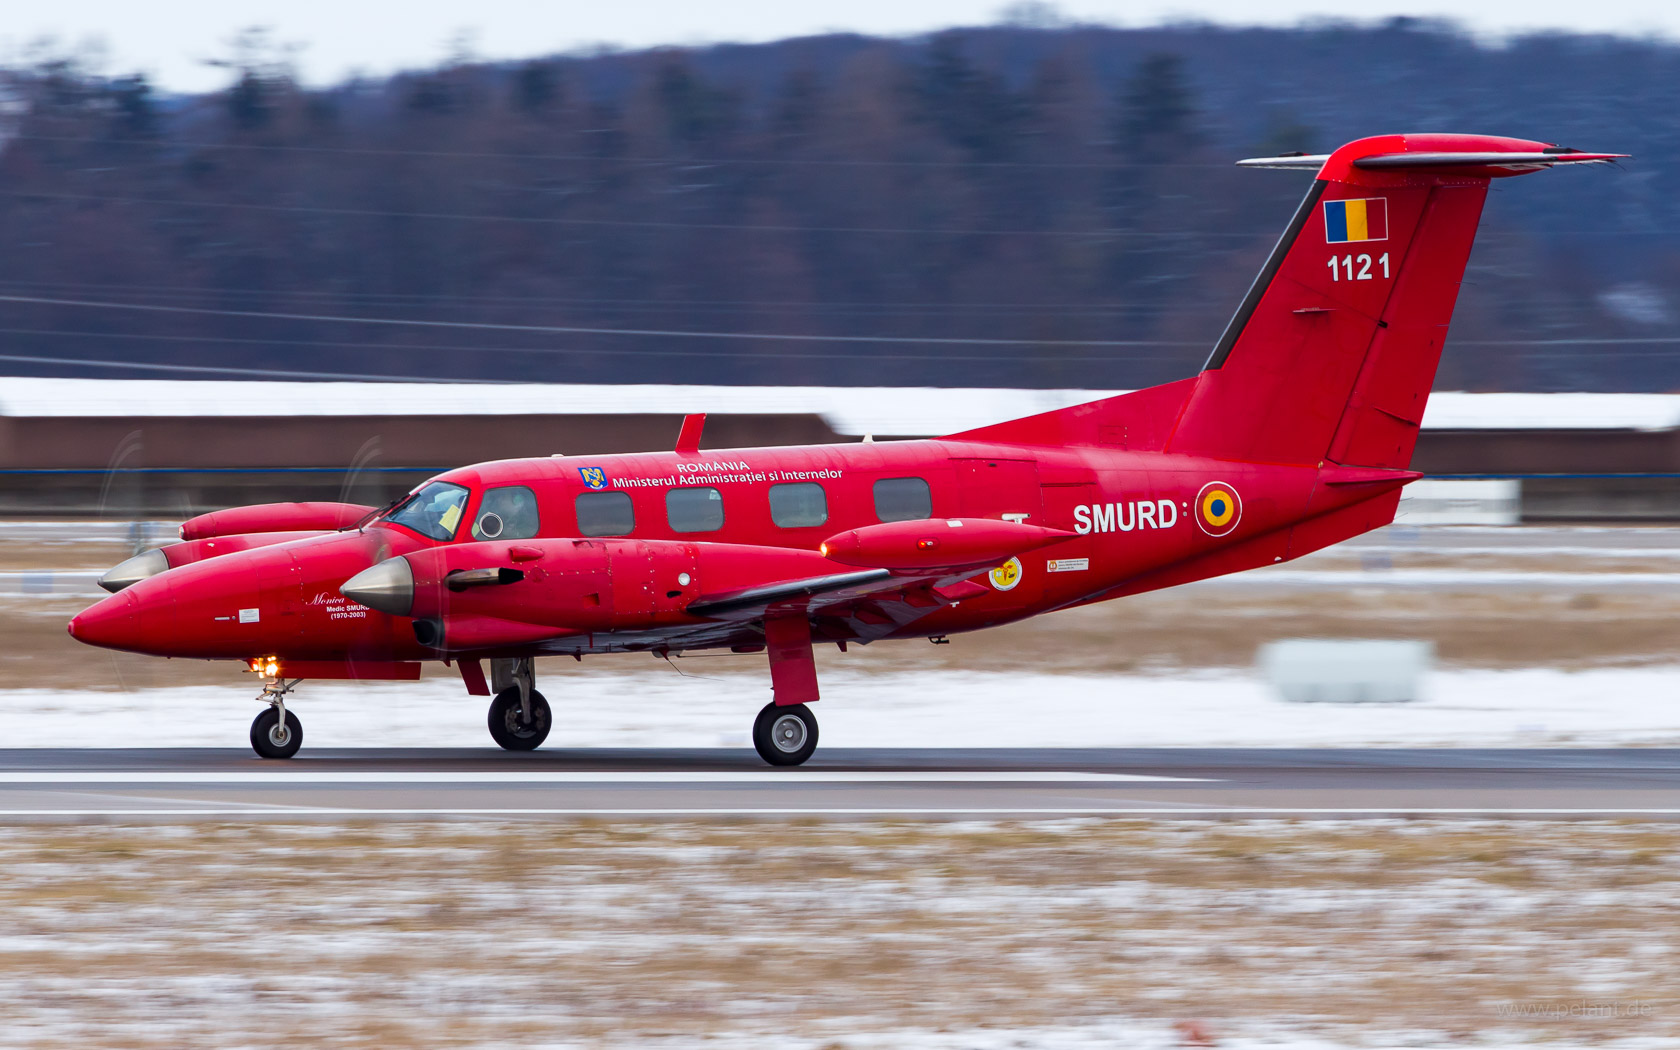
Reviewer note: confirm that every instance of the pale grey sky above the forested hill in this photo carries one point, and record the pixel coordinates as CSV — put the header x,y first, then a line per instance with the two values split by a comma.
x,y
172,39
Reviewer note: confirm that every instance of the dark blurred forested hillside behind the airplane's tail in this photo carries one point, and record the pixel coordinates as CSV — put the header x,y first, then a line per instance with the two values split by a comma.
x,y
1011,206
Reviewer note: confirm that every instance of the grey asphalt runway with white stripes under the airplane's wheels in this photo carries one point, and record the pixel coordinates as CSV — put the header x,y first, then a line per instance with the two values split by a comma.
x,y
841,784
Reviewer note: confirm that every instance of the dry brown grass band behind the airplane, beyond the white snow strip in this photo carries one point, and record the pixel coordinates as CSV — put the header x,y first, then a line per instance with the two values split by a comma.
x,y
1167,631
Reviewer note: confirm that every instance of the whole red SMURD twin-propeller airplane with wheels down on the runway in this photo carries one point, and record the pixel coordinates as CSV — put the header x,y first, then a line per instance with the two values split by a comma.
x,y
1298,434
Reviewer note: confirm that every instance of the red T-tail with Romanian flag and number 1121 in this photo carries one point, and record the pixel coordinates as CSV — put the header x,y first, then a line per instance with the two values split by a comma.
x,y
1333,352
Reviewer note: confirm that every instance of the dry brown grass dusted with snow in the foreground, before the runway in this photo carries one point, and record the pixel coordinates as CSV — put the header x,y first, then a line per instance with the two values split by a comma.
x,y
438,935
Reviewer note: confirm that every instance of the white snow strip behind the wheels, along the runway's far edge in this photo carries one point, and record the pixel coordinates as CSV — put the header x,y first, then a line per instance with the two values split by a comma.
x,y
659,708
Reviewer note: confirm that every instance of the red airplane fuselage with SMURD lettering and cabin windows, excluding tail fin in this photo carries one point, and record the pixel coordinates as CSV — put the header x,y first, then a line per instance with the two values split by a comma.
x,y
627,582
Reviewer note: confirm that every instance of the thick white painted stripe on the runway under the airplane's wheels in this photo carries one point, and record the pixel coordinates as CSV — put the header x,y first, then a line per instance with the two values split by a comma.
x,y
580,777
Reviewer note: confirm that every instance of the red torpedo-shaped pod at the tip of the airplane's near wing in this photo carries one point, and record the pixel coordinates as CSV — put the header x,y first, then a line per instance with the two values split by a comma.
x,y
938,543
